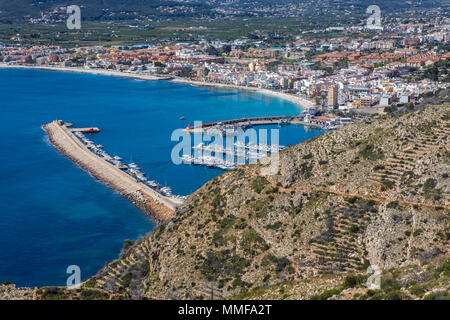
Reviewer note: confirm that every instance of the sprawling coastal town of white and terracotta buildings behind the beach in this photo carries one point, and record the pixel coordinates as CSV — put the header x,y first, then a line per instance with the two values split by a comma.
x,y
354,71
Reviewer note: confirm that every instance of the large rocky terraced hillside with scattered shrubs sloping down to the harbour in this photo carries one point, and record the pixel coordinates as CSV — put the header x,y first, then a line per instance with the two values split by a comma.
x,y
374,193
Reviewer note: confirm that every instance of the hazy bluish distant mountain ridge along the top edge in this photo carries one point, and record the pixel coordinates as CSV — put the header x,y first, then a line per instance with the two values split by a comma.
x,y
100,10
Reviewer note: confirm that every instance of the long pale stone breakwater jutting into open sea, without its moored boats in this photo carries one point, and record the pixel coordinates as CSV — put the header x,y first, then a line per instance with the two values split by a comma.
x,y
160,207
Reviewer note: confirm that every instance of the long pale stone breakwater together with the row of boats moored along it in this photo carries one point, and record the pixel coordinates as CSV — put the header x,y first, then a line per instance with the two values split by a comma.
x,y
129,180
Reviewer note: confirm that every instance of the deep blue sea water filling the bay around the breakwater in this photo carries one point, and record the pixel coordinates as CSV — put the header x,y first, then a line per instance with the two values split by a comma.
x,y
52,213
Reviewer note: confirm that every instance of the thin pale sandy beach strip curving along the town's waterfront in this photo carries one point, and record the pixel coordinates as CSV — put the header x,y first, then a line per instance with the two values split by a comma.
x,y
299,101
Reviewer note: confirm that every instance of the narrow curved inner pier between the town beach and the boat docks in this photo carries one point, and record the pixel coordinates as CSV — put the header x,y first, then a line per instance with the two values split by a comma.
x,y
256,121
